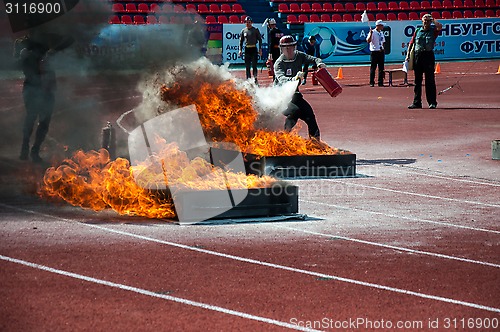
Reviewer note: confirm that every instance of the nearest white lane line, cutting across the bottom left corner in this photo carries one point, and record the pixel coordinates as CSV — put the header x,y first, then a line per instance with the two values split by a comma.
x,y
153,294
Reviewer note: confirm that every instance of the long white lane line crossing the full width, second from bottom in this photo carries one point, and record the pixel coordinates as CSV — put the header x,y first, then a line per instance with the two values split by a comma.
x,y
275,266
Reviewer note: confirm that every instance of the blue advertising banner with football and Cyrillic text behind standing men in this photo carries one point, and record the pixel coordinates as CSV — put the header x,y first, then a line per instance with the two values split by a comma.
x,y
345,42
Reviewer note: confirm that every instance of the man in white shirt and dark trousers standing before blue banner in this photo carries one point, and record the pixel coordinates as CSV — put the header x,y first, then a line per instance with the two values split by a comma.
x,y
376,39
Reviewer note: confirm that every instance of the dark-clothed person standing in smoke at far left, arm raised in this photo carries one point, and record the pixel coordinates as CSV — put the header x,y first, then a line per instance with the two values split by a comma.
x,y
33,54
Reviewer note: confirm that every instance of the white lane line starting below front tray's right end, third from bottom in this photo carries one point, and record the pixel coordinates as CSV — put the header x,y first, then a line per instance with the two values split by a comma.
x,y
413,251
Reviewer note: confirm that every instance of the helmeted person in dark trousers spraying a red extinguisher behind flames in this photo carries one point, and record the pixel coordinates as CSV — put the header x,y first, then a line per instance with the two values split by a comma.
x,y
287,68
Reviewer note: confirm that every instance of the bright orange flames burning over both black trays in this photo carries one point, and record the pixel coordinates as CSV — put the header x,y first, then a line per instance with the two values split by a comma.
x,y
92,180
